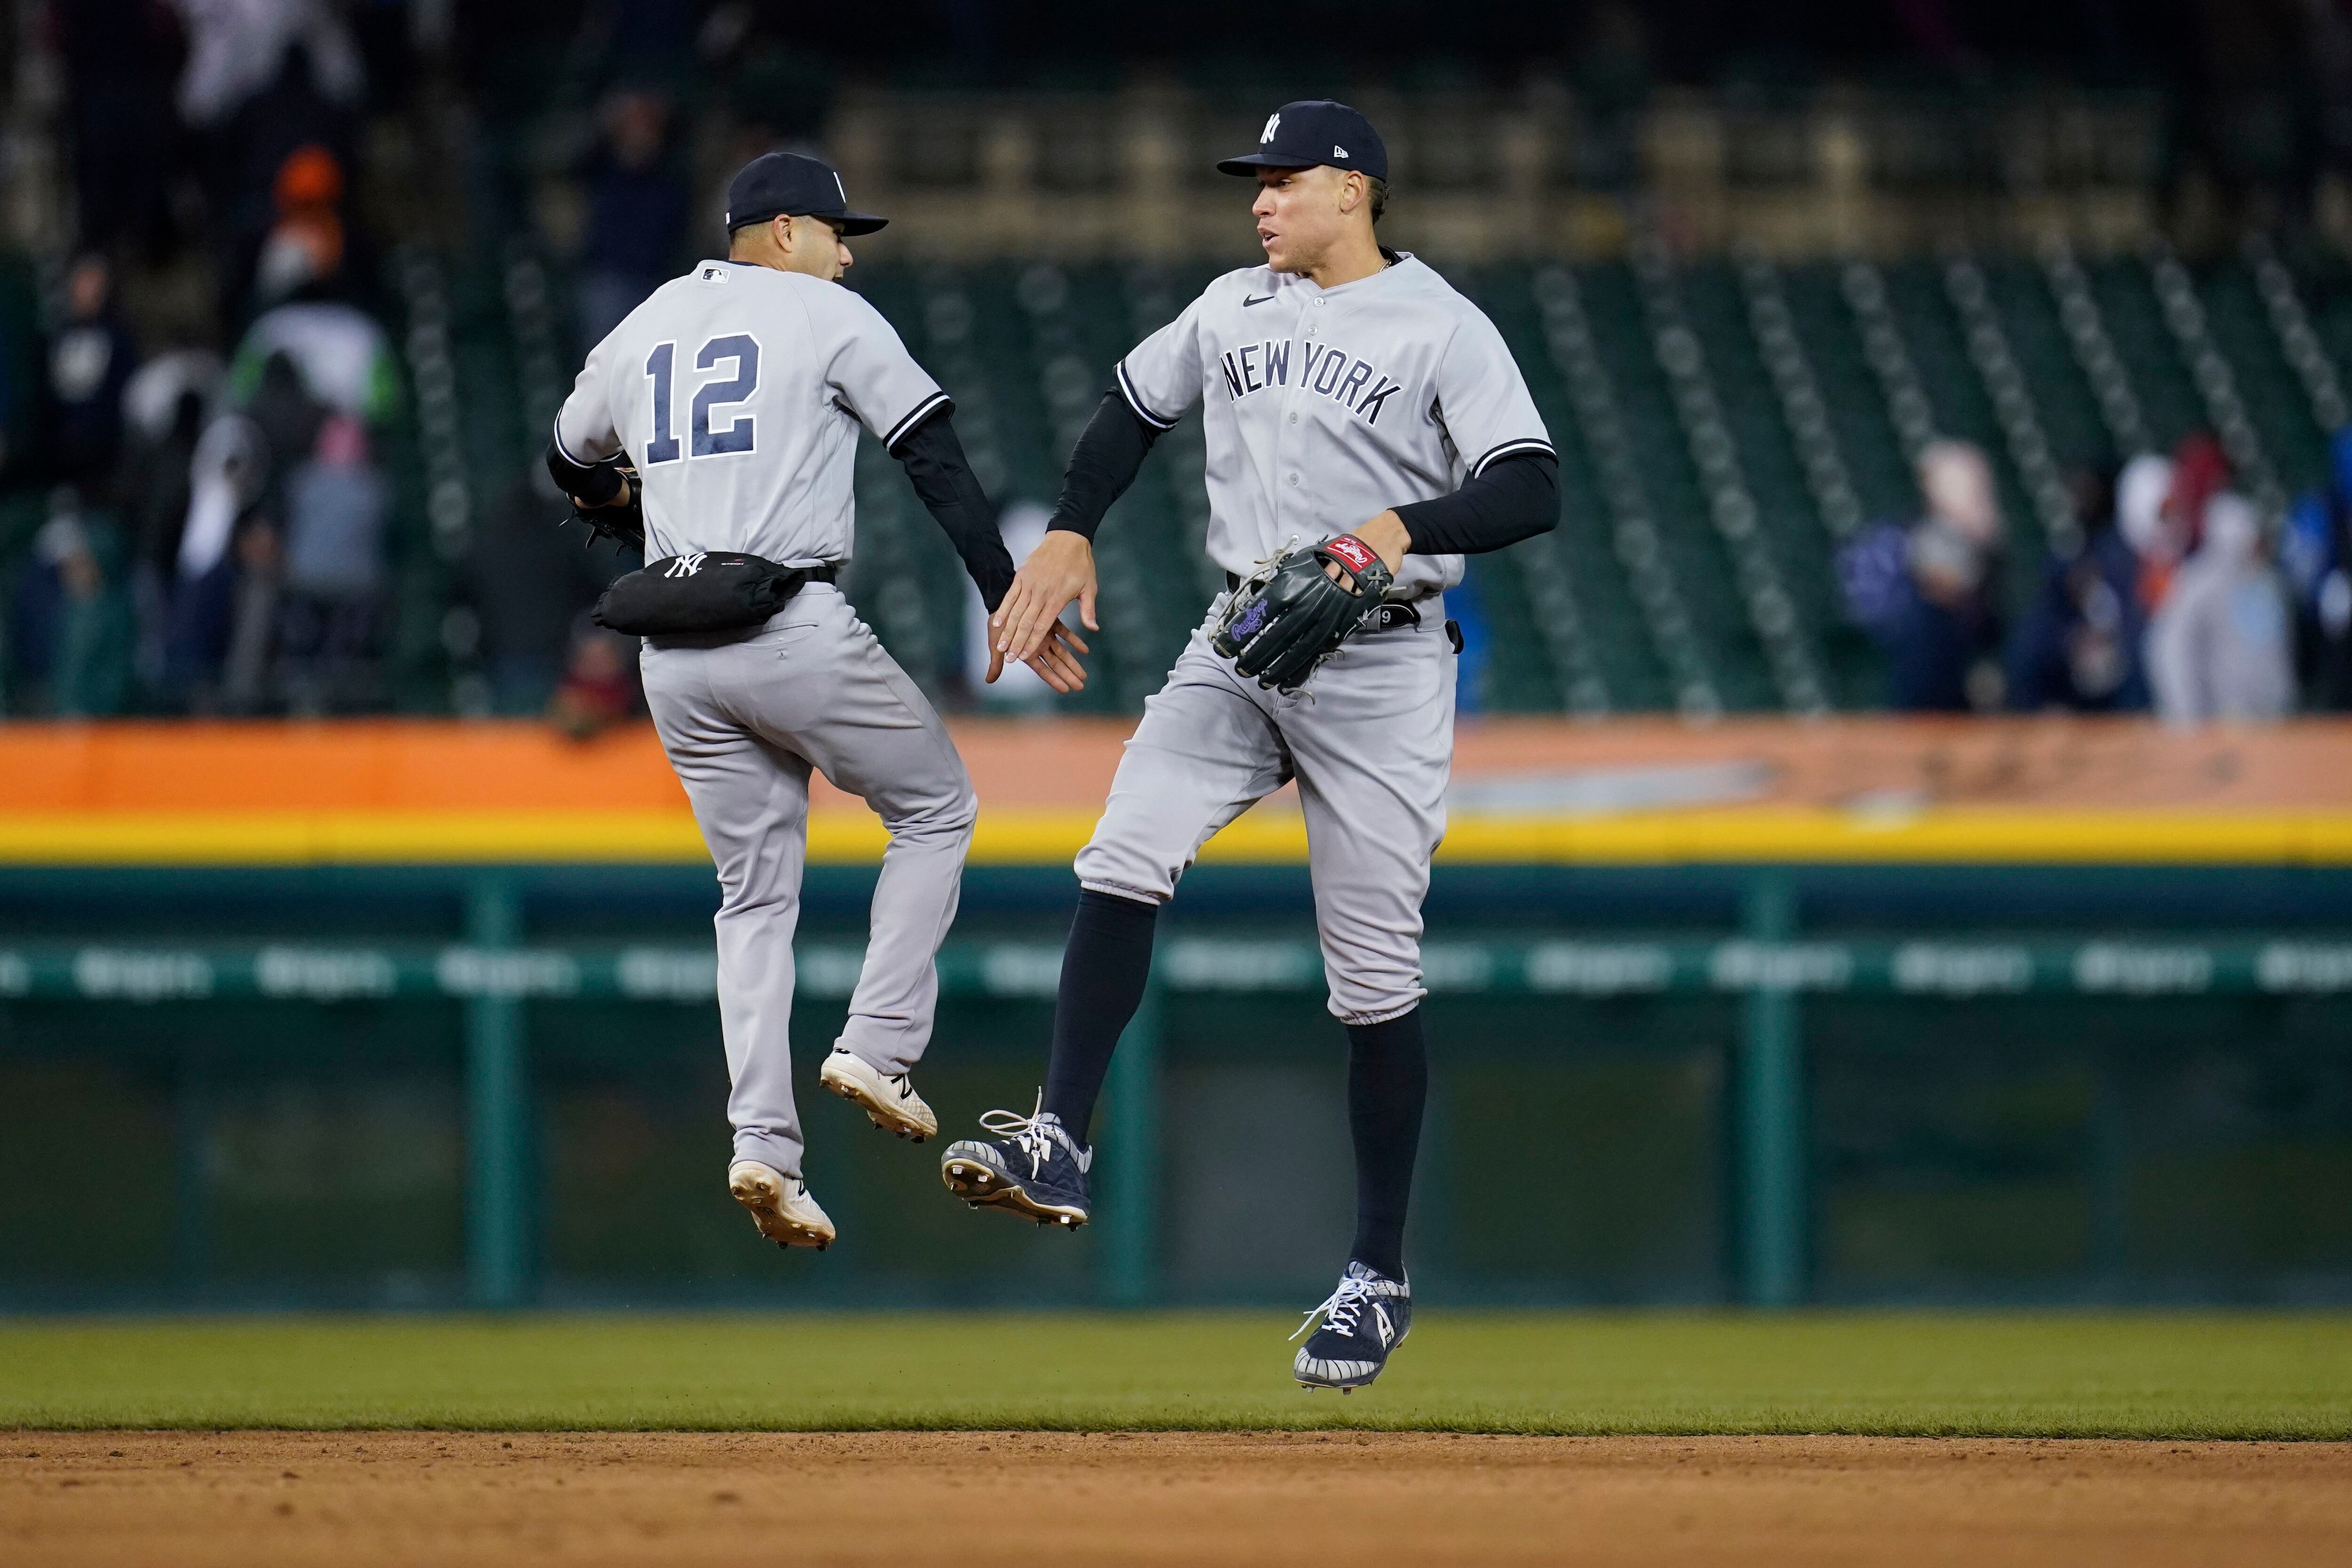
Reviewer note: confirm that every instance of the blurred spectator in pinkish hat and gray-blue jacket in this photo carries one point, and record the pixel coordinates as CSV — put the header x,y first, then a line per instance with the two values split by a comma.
x,y
333,568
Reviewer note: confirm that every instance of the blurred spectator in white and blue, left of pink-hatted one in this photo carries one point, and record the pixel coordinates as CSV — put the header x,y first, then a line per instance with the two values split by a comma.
x,y
227,483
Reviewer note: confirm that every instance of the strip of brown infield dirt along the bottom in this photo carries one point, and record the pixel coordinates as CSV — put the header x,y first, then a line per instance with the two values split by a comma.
x,y
1041,1499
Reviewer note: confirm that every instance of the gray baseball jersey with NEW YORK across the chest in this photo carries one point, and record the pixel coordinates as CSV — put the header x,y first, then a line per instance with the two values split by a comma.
x,y
1325,408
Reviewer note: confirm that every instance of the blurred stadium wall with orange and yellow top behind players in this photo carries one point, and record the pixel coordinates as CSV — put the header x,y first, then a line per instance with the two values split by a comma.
x,y
420,1014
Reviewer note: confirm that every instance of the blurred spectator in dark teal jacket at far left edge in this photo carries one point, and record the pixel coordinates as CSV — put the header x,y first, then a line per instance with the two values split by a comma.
x,y
72,617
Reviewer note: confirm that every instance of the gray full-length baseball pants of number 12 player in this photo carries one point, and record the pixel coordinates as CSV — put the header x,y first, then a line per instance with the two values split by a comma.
x,y
744,718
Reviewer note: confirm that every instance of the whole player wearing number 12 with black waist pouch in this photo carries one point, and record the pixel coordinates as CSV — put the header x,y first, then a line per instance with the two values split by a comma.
x,y
726,415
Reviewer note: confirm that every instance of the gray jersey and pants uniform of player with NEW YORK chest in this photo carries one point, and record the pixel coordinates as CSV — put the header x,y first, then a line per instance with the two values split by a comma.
x,y
1325,408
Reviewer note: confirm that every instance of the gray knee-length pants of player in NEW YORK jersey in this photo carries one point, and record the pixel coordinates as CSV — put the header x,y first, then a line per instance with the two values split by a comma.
x,y
1370,744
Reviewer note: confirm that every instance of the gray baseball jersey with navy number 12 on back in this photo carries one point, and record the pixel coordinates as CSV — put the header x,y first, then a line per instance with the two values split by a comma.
x,y
740,394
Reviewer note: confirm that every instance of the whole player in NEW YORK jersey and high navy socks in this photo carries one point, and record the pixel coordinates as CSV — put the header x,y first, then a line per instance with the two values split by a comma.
x,y
1365,429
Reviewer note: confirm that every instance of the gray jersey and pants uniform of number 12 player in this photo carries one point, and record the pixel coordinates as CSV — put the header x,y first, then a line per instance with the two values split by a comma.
x,y
737,391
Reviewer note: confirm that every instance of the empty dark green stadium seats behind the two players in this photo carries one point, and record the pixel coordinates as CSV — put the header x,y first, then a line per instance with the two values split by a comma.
x,y
1723,427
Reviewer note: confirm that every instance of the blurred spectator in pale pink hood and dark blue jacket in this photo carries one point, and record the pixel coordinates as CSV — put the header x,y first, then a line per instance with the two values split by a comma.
x,y
1932,594
